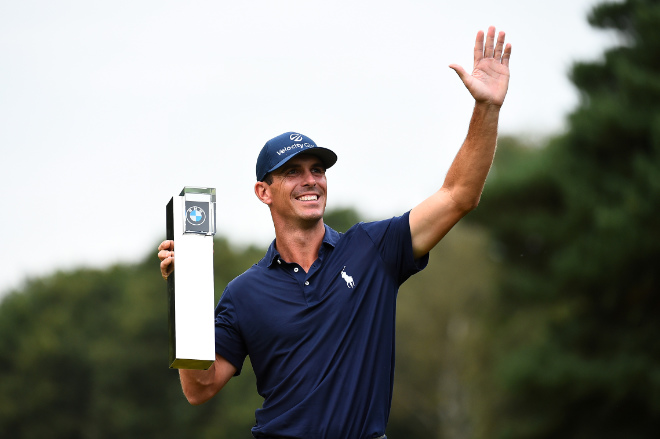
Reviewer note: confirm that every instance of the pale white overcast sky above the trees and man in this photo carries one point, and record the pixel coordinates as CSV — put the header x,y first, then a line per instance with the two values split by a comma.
x,y
108,108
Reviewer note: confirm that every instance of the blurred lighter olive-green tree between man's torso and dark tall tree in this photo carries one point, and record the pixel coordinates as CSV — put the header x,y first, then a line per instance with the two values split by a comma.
x,y
441,382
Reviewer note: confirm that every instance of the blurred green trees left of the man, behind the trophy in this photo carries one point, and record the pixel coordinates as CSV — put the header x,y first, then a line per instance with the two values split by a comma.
x,y
83,354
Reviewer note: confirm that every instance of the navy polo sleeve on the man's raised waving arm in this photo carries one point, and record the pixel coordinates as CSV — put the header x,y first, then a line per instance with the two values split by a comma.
x,y
394,242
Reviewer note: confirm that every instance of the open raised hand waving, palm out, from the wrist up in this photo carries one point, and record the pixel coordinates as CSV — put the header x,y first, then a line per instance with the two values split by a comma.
x,y
489,80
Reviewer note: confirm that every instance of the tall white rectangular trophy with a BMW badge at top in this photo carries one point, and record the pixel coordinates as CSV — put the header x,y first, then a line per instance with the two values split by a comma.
x,y
190,222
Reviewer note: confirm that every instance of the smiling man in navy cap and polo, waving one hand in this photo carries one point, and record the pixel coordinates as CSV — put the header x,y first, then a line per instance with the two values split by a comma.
x,y
316,314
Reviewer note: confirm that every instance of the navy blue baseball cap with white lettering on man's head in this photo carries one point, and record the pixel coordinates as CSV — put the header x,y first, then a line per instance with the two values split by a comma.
x,y
279,150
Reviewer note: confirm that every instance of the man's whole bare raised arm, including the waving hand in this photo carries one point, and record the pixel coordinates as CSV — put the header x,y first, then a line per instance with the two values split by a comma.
x,y
434,217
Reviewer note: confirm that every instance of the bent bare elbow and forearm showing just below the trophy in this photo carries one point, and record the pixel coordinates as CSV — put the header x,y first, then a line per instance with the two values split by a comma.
x,y
201,385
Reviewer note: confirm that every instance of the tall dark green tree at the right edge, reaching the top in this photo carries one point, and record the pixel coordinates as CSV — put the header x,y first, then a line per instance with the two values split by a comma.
x,y
575,227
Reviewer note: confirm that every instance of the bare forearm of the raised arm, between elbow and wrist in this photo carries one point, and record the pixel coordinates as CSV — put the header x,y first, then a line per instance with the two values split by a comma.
x,y
467,174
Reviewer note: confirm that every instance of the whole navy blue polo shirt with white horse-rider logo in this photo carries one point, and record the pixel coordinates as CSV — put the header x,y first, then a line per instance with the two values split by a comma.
x,y
321,343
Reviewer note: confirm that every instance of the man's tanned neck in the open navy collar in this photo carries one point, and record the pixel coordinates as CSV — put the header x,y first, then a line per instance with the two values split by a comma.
x,y
300,245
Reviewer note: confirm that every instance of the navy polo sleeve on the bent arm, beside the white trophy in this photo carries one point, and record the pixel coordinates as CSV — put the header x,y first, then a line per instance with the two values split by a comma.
x,y
228,341
